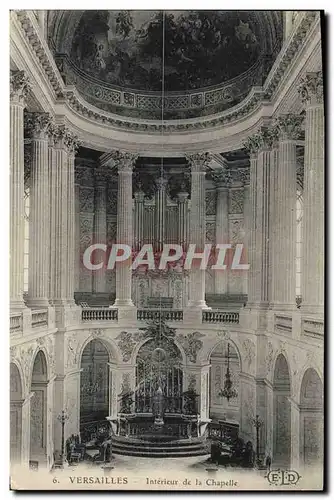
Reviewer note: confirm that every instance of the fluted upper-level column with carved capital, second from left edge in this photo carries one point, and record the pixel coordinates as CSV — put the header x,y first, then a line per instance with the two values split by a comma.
x,y
37,128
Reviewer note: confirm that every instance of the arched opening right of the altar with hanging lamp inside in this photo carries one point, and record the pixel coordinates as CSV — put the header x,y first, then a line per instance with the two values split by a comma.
x,y
224,358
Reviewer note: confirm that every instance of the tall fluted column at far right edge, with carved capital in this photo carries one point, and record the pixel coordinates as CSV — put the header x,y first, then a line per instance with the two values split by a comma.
x,y
311,91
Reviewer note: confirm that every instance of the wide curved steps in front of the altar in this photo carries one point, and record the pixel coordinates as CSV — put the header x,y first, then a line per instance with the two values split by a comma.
x,y
141,448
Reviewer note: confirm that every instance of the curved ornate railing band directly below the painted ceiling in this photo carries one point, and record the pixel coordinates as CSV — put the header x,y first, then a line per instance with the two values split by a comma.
x,y
144,104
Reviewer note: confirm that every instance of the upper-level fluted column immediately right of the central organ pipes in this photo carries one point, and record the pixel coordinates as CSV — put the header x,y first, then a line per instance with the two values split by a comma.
x,y
198,163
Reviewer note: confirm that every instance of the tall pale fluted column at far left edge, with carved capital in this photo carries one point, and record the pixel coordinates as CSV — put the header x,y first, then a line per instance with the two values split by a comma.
x,y
19,89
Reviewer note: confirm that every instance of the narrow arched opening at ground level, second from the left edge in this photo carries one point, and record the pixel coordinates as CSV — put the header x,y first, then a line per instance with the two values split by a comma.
x,y
38,409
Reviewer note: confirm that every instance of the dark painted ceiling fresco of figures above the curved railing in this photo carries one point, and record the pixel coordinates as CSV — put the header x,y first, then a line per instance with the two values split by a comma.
x,y
184,49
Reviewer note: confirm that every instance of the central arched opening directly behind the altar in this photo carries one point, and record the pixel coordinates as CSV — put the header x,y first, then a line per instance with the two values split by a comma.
x,y
159,367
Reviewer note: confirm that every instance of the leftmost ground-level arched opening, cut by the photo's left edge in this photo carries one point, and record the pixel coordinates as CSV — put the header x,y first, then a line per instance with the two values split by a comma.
x,y
15,414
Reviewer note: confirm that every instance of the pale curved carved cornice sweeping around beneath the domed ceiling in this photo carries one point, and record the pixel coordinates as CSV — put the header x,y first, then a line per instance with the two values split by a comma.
x,y
68,98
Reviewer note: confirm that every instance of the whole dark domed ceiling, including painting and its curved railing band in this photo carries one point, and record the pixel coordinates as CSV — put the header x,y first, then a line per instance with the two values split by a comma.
x,y
175,64
